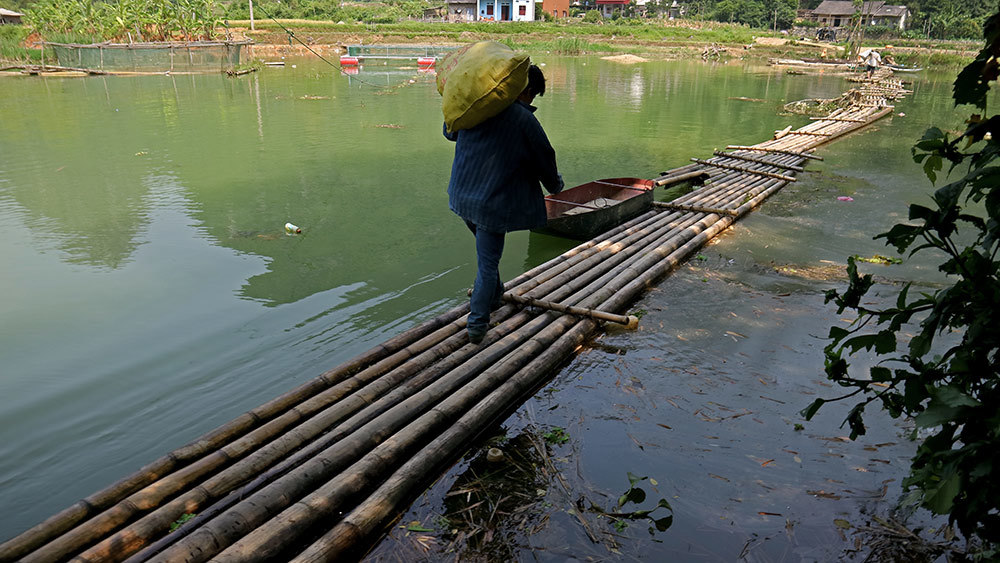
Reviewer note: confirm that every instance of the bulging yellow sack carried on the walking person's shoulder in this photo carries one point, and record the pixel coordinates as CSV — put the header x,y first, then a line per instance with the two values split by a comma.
x,y
479,81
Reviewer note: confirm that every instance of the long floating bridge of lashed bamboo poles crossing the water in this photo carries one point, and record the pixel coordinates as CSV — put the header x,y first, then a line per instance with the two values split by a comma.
x,y
318,473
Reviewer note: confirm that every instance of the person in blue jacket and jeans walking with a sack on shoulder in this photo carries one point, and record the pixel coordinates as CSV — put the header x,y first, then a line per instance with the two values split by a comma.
x,y
495,189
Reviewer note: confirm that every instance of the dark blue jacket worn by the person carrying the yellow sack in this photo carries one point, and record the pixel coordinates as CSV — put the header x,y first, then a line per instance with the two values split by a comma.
x,y
497,169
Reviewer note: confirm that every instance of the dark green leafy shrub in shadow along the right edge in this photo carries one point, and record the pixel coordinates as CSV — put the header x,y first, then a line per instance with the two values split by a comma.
x,y
946,376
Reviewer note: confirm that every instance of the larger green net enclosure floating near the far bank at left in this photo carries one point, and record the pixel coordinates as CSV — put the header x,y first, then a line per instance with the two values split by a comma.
x,y
191,56
